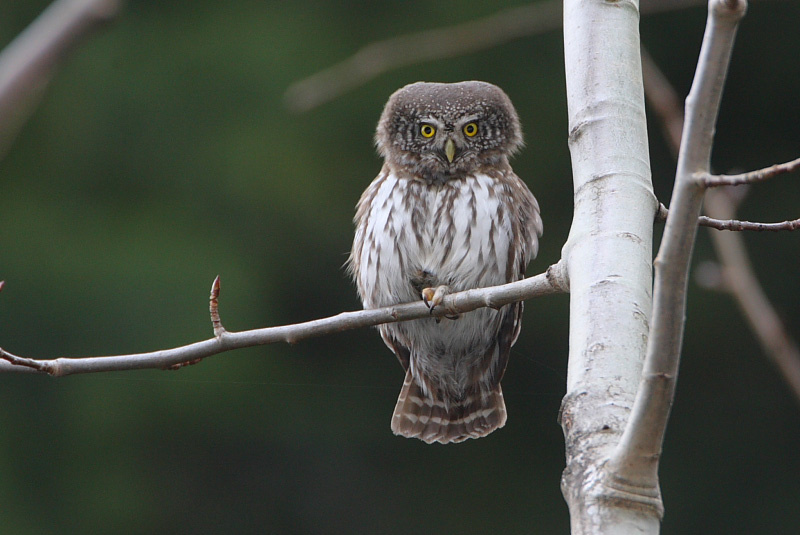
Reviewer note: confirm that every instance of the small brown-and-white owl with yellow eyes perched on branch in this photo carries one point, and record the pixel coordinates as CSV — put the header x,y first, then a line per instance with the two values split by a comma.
x,y
445,214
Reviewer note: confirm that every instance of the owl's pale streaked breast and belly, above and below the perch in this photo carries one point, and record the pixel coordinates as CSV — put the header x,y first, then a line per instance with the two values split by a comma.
x,y
419,235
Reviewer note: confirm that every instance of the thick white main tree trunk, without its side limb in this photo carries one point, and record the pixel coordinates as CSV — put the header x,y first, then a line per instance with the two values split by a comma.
x,y
609,262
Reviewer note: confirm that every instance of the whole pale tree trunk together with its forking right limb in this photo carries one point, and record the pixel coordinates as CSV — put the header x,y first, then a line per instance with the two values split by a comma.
x,y
614,439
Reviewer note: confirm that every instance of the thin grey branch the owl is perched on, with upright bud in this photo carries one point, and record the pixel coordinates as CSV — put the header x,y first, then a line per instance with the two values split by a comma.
x,y
551,282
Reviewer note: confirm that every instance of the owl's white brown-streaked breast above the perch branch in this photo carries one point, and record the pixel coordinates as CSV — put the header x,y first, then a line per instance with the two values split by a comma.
x,y
456,234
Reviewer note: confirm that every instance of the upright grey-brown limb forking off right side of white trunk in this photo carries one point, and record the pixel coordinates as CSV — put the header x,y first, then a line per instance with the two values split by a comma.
x,y
639,449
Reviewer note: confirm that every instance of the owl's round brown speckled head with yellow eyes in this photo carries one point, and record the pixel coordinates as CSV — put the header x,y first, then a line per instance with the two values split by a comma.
x,y
442,131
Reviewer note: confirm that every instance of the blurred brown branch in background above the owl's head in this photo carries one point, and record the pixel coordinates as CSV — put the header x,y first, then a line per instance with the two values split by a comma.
x,y
382,56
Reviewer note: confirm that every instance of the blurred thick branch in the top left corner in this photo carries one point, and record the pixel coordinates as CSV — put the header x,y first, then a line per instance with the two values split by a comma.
x,y
29,62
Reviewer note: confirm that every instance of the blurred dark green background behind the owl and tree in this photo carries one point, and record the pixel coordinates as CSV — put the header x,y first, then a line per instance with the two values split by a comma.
x,y
163,155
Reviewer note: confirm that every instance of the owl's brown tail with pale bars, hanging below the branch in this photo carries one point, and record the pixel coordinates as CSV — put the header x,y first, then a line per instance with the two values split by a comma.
x,y
418,415
